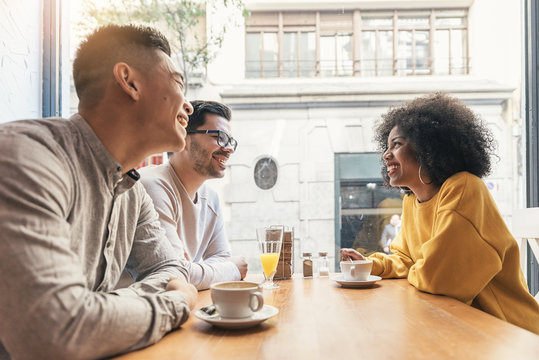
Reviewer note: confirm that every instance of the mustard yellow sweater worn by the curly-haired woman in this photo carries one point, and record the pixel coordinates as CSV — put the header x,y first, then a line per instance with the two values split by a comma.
x,y
457,244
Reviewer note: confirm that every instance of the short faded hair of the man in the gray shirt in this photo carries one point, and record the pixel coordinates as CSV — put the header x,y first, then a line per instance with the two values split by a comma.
x,y
108,45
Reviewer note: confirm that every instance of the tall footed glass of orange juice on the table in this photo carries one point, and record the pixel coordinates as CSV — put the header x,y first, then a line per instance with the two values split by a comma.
x,y
269,242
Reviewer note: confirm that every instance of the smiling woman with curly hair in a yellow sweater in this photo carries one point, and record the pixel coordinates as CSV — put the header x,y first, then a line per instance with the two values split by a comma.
x,y
453,241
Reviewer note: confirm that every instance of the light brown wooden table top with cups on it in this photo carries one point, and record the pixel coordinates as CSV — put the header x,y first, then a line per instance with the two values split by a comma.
x,y
319,319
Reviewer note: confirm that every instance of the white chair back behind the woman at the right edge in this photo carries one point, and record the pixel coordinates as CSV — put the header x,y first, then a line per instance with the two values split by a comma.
x,y
526,230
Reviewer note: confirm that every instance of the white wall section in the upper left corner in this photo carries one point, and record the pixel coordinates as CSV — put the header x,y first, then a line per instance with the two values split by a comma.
x,y
20,59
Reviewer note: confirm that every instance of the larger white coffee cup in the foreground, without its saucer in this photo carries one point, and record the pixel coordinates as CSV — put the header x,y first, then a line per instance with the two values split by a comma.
x,y
236,299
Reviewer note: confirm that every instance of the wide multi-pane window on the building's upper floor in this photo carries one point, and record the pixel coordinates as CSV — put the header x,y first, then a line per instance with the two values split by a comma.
x,y
357,43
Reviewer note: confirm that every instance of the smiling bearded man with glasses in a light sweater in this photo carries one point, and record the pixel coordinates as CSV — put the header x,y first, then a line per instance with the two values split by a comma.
x,y
189,210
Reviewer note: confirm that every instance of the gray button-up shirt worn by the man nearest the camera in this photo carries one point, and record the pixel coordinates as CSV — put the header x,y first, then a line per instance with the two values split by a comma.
x,y
69,224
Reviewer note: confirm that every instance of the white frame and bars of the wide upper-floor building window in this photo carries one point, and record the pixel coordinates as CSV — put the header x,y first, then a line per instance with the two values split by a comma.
x,y
324,24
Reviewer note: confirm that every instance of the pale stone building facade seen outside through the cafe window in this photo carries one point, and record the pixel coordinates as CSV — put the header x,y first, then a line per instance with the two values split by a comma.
x,y
307,82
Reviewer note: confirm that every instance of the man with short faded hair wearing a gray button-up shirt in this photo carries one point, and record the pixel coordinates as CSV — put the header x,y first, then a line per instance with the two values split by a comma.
x,y
73,215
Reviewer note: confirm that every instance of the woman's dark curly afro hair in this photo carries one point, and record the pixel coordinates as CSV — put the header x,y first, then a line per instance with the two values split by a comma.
x,y
446,135
